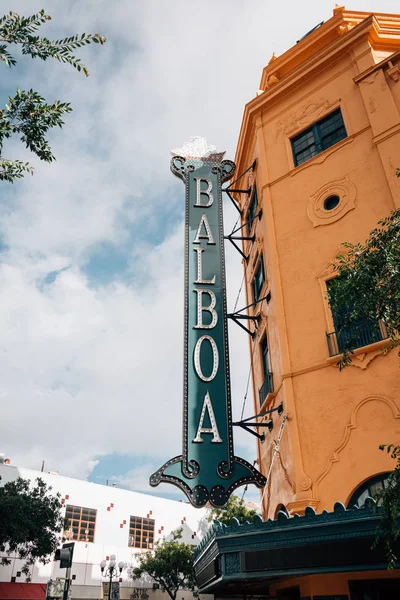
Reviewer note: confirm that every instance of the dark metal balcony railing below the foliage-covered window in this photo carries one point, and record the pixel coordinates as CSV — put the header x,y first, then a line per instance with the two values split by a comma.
x,y
364,334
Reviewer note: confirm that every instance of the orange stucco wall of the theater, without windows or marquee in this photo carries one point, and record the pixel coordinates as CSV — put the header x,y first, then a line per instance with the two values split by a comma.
x,y
335,420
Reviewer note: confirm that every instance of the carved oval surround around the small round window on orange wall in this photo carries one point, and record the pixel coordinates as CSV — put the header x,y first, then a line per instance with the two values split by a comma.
x,y
316,211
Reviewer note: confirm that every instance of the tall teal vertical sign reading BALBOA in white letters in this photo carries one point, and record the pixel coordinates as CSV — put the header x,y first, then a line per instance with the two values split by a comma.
x,y
207,470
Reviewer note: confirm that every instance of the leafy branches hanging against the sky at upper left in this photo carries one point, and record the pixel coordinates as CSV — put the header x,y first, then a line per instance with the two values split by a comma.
x,y
27,114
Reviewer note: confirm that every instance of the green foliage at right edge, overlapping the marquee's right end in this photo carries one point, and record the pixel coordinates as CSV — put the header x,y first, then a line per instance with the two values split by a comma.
x,y
389,501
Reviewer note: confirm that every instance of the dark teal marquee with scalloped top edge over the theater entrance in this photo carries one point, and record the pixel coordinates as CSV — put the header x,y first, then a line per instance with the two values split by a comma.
x,y
253,554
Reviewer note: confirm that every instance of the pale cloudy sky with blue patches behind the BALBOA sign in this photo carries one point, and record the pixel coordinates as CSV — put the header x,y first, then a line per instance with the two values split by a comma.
x,y
91,246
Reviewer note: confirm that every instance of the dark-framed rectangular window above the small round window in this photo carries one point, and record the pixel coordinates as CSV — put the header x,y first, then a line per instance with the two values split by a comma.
x,y
320,136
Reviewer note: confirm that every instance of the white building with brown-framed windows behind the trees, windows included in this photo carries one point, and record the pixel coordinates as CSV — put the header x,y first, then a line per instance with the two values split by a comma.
x,y
103,520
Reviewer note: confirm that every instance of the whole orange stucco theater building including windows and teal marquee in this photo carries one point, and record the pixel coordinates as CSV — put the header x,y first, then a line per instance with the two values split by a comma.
x,y
324,130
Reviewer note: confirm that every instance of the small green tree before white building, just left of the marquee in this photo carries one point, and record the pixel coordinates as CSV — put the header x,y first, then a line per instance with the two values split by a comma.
x,y
170,565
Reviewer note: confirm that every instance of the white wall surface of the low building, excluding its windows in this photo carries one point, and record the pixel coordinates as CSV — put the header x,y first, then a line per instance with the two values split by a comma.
x,y
114,506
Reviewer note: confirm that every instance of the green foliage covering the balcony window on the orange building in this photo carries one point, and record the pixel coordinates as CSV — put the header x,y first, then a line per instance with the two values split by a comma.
x,y
368,285
